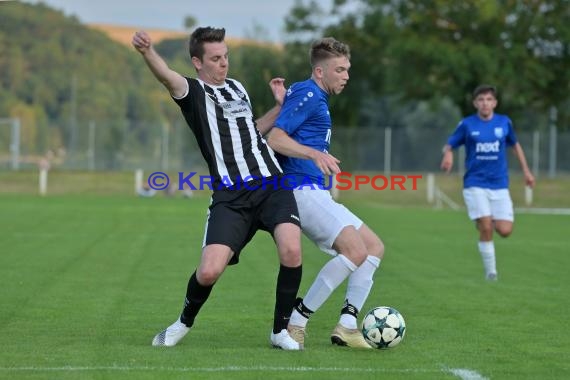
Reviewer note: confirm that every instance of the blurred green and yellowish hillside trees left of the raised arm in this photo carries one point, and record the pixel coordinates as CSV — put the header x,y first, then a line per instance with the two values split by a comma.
x,y
59,72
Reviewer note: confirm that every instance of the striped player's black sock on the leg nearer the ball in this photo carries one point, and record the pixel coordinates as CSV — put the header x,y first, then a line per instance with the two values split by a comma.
x,y
288,282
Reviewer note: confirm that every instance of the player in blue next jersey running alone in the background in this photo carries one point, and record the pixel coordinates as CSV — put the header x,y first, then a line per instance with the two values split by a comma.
x,y
486,136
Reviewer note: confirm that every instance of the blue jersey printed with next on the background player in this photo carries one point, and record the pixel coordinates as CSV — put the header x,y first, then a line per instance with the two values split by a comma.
x,y
486,143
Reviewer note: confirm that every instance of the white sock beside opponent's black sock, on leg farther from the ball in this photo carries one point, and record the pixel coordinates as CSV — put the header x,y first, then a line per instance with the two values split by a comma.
x,y
329,278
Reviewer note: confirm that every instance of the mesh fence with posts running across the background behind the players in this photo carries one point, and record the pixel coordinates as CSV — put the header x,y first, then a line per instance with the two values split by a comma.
x,y
122,146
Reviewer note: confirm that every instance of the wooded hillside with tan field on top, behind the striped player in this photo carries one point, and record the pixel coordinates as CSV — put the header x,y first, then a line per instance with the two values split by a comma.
x,y
59,75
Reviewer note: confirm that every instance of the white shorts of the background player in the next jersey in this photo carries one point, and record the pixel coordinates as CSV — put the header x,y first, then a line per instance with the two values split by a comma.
x,y
486,202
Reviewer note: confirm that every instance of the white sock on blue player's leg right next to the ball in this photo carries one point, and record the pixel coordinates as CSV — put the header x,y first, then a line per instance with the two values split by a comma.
x,y
359,285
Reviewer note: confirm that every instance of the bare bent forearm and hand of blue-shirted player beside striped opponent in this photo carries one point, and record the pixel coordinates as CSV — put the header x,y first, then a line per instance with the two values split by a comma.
x,y
281,142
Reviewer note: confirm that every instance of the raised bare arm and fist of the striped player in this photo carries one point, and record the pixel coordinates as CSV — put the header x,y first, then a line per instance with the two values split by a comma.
x,y
174,82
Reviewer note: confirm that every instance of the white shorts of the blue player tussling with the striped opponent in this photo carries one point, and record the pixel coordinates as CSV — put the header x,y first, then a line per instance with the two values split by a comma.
x,y
322,218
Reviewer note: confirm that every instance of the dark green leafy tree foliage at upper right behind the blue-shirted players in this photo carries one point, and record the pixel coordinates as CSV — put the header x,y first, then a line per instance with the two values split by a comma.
x,y
430,49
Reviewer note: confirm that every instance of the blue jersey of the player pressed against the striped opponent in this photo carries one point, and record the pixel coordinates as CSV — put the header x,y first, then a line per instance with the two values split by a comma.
x,y
305,118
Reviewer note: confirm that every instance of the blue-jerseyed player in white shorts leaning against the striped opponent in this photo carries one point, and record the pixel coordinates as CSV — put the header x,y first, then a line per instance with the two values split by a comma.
x,y
301,136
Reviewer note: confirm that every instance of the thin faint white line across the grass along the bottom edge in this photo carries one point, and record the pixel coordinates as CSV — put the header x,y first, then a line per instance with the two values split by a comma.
x,y
217,369
